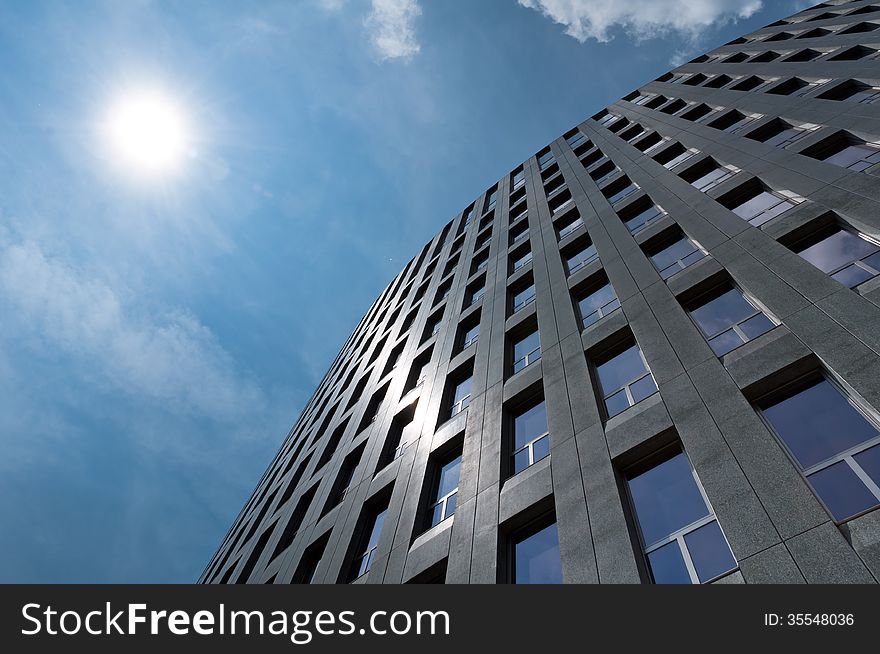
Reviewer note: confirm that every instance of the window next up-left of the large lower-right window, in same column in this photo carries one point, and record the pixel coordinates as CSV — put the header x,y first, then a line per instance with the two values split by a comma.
x,y
728,320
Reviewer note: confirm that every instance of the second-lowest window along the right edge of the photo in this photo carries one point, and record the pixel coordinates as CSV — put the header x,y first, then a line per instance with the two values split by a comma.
x,y
847,257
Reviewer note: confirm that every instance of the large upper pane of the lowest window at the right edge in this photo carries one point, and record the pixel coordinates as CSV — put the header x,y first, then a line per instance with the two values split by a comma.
x,y
818,423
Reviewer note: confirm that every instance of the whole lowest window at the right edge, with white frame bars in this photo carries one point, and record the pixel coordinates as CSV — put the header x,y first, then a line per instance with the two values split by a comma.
x,y
833,444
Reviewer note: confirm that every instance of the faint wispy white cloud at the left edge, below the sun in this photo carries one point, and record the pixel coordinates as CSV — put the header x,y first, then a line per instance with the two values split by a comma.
x,y
170,358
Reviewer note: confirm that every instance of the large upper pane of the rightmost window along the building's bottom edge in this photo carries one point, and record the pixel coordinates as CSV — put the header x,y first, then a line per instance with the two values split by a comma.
x,y
666,498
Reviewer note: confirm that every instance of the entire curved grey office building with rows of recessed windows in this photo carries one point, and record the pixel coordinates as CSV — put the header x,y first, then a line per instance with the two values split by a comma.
x,y
649,353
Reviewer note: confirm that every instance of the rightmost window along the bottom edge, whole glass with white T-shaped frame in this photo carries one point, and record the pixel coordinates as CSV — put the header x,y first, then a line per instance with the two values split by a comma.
x,y
682,540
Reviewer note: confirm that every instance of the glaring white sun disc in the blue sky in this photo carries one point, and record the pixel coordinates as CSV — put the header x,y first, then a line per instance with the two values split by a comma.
x,y
147,132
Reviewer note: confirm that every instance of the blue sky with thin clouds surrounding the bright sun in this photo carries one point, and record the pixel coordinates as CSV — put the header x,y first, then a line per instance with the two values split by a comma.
x,y
159,336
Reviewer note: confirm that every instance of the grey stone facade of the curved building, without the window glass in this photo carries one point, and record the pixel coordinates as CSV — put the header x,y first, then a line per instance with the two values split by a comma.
x,y
777,528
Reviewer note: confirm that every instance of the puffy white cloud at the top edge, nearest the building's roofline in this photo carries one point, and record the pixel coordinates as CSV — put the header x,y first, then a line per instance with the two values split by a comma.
x,y
642,19
